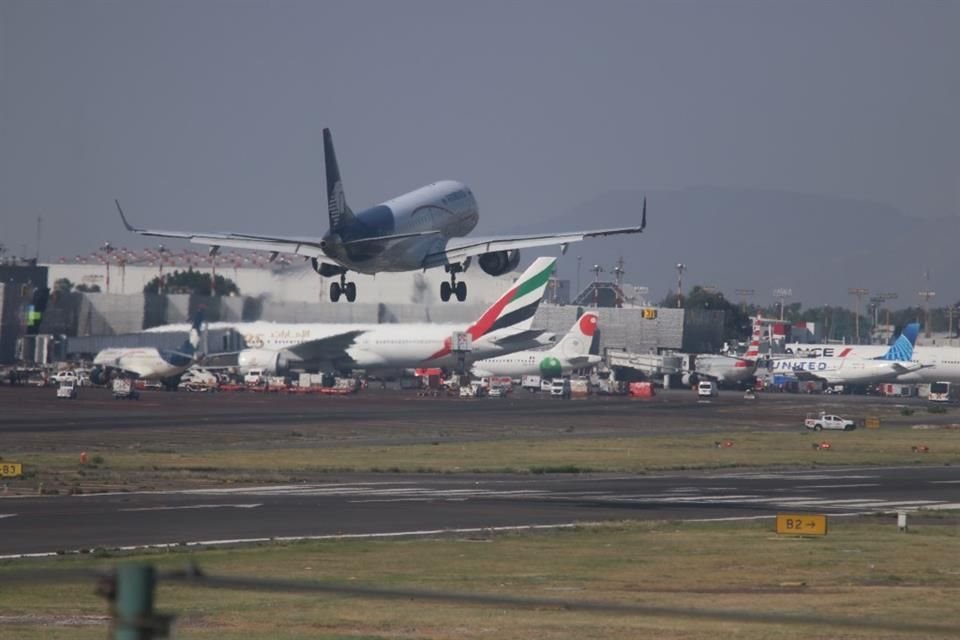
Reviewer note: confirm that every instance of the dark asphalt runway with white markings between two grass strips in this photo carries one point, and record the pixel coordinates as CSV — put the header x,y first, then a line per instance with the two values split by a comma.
x,y
390,505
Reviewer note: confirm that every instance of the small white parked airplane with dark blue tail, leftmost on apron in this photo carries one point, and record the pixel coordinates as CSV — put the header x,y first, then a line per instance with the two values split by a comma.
x,y
149,363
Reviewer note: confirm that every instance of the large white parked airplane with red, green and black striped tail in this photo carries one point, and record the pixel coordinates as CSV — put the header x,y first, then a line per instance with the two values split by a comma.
x,y
505,327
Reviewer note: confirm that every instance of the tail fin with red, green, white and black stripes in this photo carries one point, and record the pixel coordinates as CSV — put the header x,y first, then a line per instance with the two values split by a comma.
x,y
515,309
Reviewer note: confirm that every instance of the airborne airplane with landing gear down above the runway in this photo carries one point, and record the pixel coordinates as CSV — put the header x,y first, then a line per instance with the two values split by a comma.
x,y
422,229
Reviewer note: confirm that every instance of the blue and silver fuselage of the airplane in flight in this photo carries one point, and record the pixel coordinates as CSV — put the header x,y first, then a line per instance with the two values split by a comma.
x,y
447,208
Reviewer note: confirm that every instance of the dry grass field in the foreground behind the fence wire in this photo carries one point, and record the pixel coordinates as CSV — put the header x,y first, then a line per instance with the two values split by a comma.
x,y
863,569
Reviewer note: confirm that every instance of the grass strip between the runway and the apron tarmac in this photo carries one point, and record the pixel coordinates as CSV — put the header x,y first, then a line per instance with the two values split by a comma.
x,y
142,468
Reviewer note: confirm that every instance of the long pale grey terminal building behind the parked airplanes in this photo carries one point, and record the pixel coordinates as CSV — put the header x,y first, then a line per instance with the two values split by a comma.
x,y
98,300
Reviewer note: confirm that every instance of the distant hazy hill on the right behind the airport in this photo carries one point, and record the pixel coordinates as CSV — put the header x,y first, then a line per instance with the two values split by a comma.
x,y
818,246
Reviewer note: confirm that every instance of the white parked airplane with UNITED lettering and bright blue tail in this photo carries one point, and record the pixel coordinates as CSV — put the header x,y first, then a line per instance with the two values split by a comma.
x,y
856,370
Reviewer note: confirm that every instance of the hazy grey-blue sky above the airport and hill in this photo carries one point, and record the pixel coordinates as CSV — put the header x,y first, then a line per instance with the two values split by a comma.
x,y
208,115
